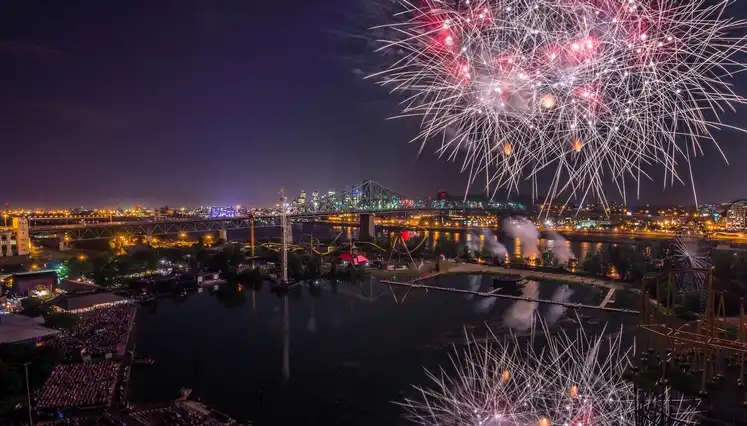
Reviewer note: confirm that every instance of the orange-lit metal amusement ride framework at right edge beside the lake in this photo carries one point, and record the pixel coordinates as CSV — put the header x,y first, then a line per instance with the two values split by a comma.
x,y
705,355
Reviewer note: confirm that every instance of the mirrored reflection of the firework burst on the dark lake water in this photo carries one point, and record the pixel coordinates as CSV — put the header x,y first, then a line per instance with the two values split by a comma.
x,y
569,381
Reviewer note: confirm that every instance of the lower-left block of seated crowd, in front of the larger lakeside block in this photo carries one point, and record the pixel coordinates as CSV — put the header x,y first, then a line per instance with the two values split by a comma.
x,y
78,385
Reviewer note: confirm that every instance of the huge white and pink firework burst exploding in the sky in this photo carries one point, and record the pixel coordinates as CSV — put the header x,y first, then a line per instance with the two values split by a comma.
x,y
581,88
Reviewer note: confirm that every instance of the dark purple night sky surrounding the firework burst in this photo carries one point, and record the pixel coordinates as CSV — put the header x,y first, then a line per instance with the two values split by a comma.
x,y
182,102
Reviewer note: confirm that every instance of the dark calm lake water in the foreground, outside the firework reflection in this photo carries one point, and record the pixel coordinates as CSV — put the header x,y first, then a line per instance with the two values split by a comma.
x,y
350,353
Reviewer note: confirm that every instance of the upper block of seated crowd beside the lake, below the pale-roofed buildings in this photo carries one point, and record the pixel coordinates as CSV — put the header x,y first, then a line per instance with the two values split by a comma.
x,y
99,332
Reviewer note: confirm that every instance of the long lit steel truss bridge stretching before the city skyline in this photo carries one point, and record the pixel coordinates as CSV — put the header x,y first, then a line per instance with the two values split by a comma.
x,y
365,200
